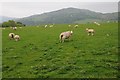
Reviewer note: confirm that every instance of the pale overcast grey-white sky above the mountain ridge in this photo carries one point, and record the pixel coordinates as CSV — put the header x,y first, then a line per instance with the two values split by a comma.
x,y
24,8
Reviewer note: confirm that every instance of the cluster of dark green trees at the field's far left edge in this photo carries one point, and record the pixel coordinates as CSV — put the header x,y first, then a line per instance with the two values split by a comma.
x,y
12,23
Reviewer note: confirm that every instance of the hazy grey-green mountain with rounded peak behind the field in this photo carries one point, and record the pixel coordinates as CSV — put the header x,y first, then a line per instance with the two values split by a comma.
x,y
67,15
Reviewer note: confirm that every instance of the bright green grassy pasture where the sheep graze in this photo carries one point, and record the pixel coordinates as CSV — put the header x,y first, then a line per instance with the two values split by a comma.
x,y
39,54
